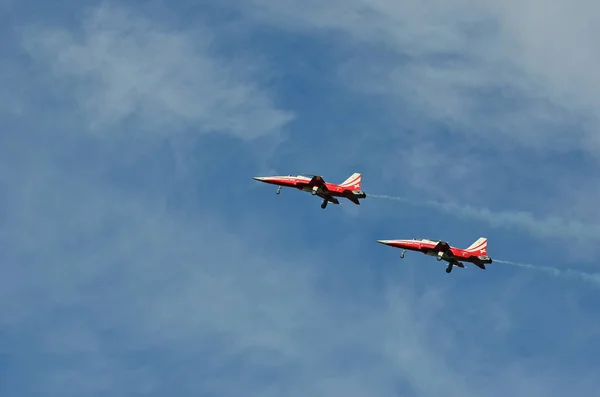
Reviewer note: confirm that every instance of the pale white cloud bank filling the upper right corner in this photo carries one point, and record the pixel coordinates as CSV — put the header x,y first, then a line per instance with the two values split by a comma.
x,y
443,56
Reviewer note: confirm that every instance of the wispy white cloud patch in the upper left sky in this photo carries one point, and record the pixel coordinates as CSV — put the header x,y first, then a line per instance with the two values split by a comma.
x,y
122,66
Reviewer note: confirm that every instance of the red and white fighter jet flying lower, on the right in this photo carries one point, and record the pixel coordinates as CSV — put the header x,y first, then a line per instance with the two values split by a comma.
x,y
475,254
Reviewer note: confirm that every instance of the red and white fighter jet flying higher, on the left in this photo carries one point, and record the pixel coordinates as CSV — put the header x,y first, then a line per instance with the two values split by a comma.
x,y
315,184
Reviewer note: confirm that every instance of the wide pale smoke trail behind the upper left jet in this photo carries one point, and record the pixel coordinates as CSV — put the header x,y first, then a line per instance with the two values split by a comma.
x,y
547,227
